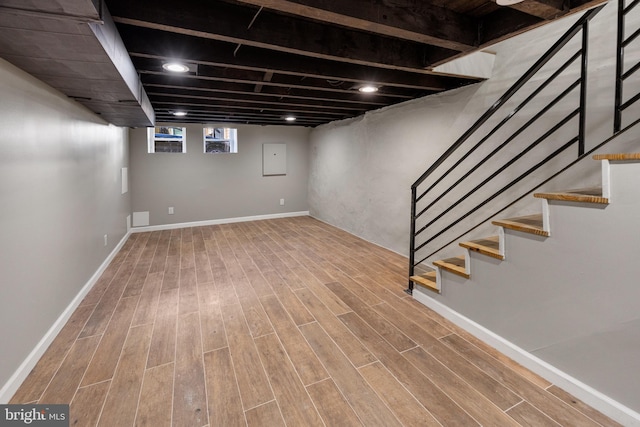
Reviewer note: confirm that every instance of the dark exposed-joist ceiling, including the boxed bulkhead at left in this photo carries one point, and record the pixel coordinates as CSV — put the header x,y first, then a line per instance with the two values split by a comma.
x,y
257,61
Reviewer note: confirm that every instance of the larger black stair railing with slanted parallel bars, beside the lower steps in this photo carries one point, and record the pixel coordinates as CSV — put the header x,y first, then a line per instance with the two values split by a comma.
x,y
440,173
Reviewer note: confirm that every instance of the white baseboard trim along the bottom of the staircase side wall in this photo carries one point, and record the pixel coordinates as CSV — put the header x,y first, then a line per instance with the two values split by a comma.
x,y
587,394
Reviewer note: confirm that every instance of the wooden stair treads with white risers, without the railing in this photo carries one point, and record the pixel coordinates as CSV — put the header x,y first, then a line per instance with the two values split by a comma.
x,y
536,224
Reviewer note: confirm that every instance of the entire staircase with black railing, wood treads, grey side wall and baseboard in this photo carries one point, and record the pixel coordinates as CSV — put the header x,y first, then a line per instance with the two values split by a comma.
x,y
556,290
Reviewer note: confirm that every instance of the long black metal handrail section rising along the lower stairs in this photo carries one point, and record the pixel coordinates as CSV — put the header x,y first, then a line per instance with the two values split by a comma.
x,y
580,25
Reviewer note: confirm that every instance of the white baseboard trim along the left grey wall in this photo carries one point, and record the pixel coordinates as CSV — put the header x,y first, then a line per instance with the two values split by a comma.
x,y
11,386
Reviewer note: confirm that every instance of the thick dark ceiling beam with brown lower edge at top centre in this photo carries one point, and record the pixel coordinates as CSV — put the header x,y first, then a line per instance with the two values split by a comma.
x,y
412,20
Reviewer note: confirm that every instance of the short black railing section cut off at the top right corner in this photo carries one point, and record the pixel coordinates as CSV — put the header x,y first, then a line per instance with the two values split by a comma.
x,y
625,71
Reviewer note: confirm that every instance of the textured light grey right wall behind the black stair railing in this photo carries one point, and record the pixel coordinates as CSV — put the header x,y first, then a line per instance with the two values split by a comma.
x,y
361,170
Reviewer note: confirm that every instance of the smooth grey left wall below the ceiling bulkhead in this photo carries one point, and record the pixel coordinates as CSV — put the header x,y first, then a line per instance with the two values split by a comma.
x,y
60,190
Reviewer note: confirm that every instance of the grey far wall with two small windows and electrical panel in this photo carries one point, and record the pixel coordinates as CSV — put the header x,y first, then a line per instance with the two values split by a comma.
x,y
205,186
